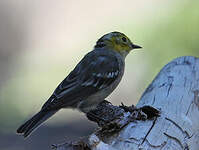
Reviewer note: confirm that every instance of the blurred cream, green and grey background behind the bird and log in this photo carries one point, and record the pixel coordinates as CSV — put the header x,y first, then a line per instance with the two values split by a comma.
x,y
42,41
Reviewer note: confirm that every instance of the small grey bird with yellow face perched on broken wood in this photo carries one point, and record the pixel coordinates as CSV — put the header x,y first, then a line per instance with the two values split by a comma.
x,y
92,80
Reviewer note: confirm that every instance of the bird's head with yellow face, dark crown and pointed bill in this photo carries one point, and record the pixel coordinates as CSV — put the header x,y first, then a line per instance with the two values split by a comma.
x,y
116,41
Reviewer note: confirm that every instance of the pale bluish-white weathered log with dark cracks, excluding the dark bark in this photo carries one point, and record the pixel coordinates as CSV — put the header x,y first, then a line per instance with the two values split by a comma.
x,y
175,92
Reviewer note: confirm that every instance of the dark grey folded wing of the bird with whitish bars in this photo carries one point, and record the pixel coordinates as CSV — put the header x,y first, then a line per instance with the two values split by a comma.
x,y
93,73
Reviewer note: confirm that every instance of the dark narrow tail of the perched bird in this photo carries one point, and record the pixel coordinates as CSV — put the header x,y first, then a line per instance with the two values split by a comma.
x,y
27,128
